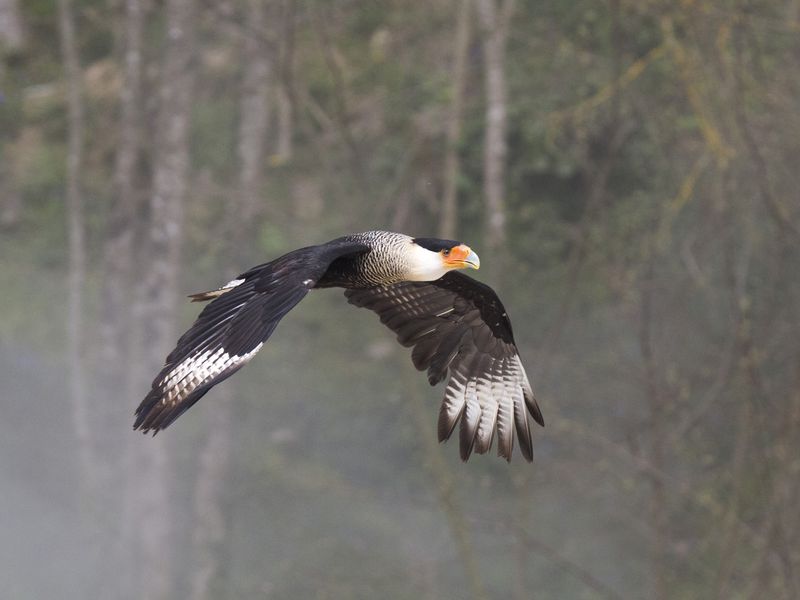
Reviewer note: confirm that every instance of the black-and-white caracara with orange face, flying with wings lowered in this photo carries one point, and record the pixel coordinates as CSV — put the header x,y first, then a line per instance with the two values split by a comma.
x,y
455,325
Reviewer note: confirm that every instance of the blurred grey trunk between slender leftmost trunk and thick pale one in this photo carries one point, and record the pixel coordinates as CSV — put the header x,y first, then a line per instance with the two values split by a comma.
x,y
121,315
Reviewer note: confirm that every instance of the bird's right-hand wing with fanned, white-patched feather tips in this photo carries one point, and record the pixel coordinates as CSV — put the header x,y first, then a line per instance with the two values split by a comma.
x,y
459,324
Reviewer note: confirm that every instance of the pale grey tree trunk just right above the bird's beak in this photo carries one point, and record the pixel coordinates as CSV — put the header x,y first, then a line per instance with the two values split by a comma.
x,y
494,21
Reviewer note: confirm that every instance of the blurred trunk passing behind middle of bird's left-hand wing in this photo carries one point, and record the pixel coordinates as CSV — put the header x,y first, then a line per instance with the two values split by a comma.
x,y
210,526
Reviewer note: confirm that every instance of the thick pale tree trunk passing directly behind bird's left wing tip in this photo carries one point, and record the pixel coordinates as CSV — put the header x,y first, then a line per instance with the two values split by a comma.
x,y
152,512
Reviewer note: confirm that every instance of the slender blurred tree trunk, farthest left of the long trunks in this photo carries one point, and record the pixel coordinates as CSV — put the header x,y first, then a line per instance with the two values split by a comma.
x,y
77,244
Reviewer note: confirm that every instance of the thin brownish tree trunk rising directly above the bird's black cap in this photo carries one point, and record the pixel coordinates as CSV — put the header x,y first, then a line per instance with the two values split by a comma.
x,y
448,222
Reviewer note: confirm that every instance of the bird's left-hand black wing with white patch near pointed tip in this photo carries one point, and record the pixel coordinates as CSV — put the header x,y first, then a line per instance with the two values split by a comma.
x,y
232,328
